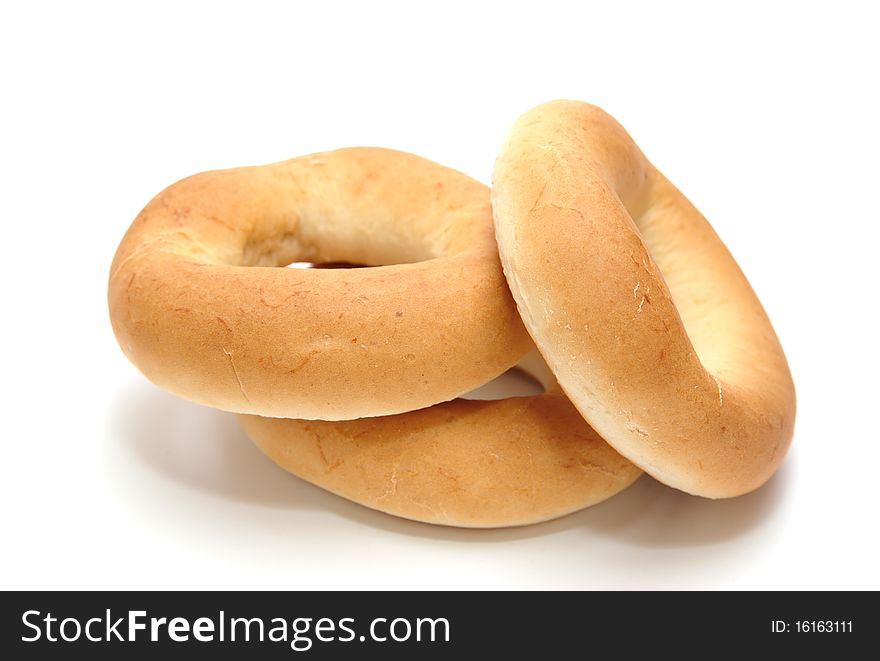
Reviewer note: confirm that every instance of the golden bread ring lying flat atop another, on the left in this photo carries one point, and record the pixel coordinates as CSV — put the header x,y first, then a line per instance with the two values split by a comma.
x,y
198,306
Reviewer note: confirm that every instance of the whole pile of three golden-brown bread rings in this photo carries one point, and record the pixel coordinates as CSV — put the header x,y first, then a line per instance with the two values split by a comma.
x,y
654,353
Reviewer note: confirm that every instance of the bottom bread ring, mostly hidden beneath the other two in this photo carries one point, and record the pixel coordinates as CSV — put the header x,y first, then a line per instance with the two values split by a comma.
x,y
475,464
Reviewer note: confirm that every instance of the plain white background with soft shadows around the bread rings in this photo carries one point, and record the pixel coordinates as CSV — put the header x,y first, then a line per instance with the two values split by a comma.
x,y
765,115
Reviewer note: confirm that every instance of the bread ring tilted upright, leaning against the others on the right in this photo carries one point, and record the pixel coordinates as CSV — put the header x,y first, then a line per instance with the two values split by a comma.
x,y
637,306
